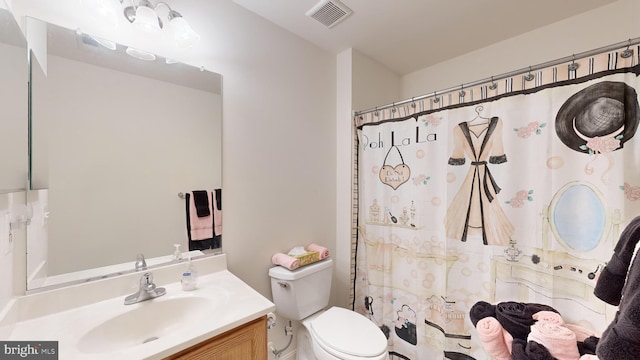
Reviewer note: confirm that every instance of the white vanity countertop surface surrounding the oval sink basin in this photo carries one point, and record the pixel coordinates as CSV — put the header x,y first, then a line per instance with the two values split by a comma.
x,y
233,303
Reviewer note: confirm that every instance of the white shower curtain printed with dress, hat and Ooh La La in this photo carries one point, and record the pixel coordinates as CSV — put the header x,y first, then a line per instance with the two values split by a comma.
x,y
507,192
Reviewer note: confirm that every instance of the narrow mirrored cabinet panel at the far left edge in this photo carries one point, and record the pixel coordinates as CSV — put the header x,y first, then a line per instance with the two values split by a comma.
x,y
14,73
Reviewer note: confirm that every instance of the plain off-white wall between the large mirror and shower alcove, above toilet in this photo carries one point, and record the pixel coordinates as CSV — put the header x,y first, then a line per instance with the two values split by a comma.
x,y
279,147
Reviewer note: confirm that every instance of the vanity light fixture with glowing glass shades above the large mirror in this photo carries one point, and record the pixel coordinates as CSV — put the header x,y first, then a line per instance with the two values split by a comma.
x,y
146,16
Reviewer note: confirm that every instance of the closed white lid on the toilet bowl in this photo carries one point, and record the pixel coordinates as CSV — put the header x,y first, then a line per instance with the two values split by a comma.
x,y
348,332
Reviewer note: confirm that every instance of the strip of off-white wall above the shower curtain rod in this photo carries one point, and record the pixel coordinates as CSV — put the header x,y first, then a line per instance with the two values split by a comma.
x,y
603,26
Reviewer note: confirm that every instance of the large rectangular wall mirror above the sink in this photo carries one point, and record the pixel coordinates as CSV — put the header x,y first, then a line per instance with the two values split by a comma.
x,y
114,141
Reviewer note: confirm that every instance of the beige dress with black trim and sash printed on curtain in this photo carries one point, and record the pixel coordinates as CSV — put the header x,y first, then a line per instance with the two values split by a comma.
x,y
474,208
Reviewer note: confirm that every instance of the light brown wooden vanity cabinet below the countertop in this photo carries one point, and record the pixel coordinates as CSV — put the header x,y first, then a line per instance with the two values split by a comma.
x,y
248,341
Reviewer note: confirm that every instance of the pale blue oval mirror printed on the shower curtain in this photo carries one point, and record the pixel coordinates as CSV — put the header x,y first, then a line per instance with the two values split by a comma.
x,y
579,231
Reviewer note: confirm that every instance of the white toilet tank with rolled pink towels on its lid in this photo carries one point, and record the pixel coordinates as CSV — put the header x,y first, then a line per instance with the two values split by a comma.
x,y
301,292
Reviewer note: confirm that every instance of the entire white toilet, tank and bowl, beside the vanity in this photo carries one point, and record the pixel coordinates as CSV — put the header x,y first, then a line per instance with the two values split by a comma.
x,y
331,334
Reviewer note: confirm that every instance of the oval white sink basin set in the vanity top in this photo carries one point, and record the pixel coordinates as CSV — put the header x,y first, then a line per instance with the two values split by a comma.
x,y
148,321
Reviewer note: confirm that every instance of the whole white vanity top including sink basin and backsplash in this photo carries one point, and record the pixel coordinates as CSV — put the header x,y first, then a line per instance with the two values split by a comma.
x,y
89,324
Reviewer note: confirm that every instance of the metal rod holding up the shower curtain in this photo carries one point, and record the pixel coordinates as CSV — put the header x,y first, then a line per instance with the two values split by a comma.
x,y
544,65
